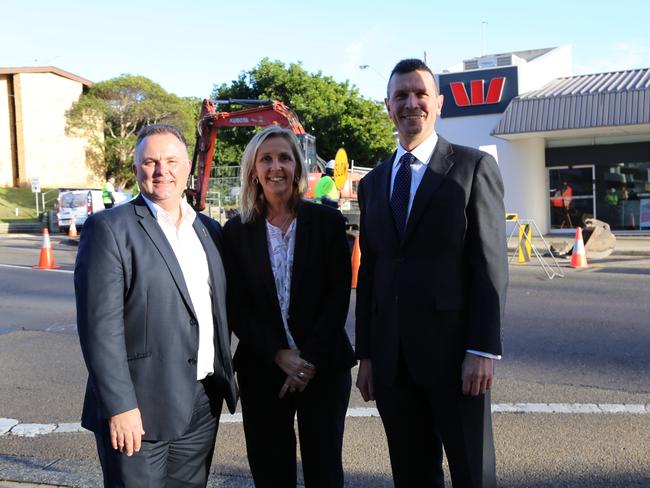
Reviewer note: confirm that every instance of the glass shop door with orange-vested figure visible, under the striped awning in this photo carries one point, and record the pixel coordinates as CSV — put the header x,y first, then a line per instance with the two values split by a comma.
x,y
571,197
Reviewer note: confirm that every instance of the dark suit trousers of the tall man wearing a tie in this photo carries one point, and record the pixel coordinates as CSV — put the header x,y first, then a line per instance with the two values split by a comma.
x,y
419,420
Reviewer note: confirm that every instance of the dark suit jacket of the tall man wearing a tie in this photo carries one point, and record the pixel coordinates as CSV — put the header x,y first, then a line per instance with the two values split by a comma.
x,y
441,289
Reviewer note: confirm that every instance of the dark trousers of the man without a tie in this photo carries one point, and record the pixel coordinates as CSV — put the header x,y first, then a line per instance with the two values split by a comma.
x,y
179,463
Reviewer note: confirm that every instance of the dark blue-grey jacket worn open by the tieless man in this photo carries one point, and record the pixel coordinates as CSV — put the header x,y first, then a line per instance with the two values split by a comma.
x,y
137,327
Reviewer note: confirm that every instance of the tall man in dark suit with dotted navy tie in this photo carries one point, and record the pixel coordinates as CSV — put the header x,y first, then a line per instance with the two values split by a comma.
x,y
431,292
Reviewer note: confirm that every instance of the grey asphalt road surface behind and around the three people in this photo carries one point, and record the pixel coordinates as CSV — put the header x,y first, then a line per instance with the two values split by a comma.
x,y
580,339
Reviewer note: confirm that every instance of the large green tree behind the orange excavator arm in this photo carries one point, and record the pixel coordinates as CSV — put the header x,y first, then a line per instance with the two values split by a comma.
x,y
334,112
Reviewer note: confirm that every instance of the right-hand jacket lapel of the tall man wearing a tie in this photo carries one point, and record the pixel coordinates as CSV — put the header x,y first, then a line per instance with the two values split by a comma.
x,y
434,175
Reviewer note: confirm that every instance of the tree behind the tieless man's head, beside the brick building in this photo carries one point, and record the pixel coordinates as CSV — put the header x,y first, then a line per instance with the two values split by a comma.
x,y
112,112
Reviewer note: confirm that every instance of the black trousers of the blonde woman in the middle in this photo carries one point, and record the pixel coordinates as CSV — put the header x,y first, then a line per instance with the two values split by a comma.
x,y
269,428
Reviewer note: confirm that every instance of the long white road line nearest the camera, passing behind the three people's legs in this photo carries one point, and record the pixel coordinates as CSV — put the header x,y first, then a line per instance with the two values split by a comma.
x,y
14,427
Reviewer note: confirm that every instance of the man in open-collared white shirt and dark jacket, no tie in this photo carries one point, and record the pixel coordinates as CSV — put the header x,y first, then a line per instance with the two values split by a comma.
x,y
150,292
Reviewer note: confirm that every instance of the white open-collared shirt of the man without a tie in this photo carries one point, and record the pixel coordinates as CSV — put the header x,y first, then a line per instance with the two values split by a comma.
x,y
191,257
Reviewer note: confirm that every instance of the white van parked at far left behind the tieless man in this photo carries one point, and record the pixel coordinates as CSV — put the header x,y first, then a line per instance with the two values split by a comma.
x,y
80,203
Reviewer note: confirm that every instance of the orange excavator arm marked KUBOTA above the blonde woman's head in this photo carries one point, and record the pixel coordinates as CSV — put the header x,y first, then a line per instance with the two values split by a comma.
x,y
260,113
